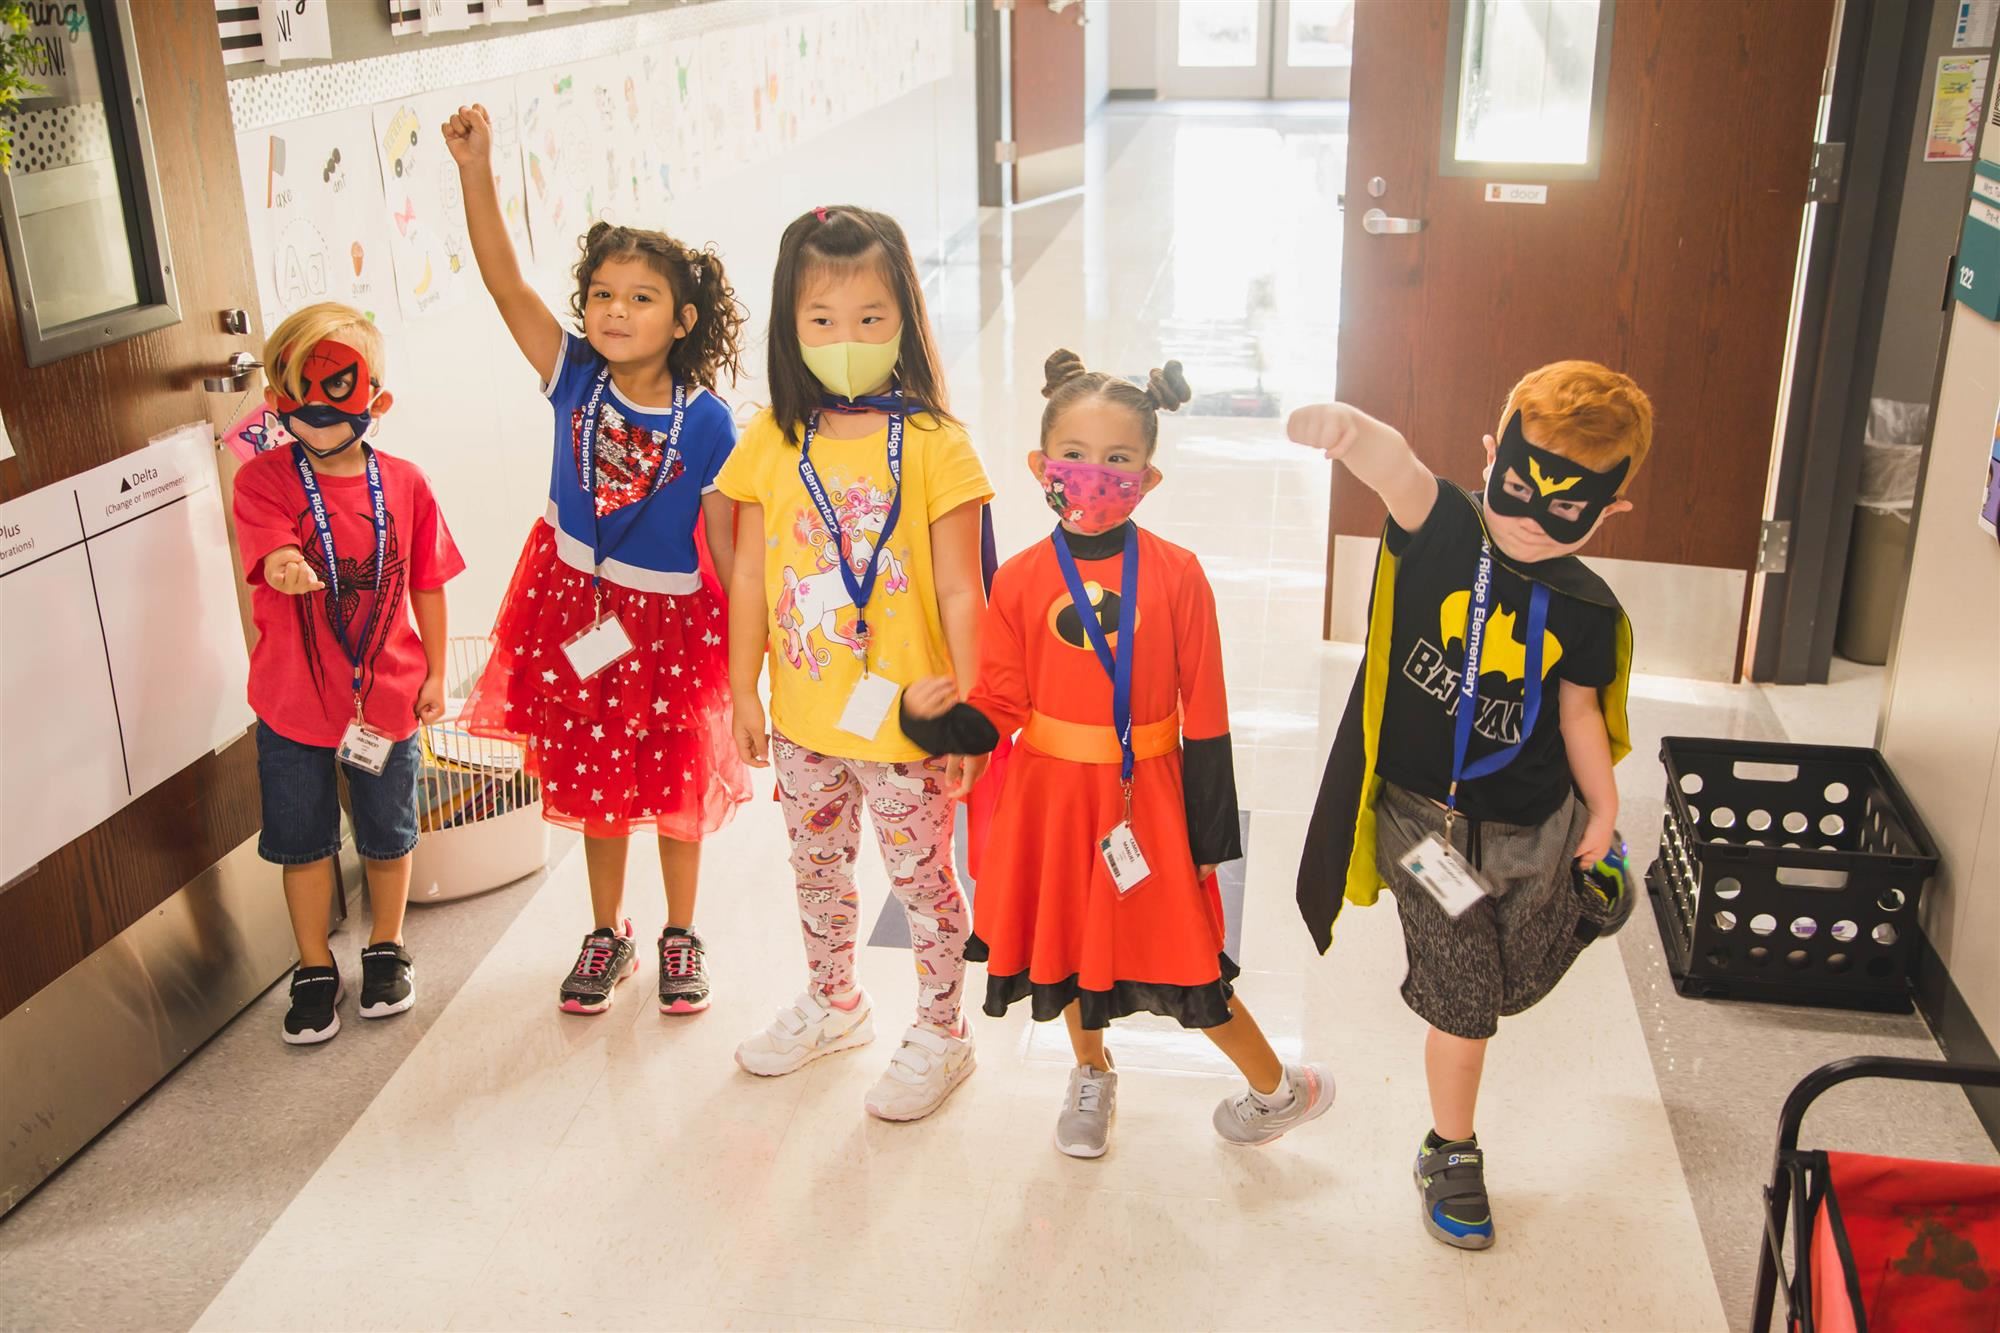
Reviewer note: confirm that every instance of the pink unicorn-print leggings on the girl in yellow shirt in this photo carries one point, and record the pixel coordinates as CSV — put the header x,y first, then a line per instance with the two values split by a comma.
x,y
913,818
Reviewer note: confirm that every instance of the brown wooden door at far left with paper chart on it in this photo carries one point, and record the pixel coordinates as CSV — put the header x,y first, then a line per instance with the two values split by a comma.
x,y
95,407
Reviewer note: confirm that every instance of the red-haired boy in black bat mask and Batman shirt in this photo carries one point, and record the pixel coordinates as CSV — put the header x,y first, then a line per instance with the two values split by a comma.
x,y
1477,796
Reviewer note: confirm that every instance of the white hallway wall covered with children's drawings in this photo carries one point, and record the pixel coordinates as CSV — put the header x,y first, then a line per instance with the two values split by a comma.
x,y
717,123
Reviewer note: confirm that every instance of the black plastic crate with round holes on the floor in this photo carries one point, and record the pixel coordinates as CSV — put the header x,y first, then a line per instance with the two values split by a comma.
x,y
1789,874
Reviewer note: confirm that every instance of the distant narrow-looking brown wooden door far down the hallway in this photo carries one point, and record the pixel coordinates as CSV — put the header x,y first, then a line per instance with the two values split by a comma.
x,y
1047,99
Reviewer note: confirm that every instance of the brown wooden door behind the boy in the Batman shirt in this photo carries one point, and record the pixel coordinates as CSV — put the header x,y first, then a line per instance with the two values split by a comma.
x,y
1673,261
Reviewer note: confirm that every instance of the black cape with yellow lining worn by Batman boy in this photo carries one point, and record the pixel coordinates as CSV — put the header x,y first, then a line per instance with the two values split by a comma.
x,y
1341,842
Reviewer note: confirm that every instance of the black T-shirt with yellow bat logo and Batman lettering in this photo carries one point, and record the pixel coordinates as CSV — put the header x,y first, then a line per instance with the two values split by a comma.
x,y
1429,647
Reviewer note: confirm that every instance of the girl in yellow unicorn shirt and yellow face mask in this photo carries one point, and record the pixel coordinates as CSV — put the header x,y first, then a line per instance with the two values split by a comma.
x,y
857,573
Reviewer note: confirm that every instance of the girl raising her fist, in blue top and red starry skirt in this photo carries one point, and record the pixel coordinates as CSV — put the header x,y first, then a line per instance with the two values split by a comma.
x,y
609,657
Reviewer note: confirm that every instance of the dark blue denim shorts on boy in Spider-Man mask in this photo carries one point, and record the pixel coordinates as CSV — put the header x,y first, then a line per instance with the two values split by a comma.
x,y
303,802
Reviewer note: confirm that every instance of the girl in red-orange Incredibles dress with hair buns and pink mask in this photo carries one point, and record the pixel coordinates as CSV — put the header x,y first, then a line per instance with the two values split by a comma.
x,y
1097,896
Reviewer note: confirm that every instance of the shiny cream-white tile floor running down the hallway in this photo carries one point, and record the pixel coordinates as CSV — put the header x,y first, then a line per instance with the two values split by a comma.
x,y
527,1170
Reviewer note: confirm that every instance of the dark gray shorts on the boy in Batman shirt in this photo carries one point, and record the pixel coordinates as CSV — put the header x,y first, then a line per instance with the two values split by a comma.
x,y
1507,952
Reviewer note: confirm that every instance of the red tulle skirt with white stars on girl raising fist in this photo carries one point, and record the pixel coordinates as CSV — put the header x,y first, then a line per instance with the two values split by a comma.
x,y
645,746
